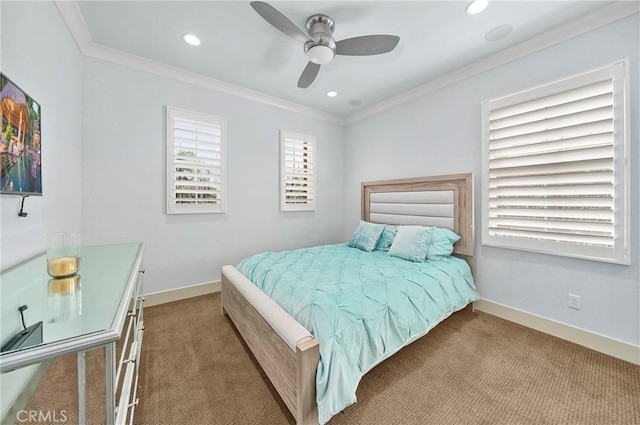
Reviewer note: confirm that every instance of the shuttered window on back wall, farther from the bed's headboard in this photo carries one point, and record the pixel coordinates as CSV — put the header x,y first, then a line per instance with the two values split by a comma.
x,y
196,173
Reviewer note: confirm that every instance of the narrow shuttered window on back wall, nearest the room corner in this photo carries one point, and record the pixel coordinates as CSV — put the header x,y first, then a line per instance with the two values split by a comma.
x,y
297,172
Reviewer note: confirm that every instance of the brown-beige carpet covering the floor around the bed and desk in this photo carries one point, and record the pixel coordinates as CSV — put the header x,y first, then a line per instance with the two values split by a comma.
x,y
472,369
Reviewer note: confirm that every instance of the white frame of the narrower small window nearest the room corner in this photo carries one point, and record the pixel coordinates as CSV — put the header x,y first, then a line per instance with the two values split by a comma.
x,y
286,135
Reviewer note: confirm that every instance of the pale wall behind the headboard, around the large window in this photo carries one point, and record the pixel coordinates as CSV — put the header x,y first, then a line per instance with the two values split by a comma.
x,y
440,134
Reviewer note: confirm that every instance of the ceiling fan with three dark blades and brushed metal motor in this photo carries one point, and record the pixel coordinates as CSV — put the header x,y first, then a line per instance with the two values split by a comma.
x,y
319,44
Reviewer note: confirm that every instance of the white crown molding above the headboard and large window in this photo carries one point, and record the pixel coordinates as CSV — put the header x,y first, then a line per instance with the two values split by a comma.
x,y
589,22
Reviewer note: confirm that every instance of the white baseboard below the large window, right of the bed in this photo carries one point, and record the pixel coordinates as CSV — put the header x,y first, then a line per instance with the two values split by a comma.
x,y
619,349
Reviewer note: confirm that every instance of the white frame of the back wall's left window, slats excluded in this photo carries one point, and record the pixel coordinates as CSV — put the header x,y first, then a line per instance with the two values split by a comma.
x,y
172,207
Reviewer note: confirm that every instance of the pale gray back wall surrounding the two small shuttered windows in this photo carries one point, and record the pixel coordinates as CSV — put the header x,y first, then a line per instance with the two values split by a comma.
x,y
124,190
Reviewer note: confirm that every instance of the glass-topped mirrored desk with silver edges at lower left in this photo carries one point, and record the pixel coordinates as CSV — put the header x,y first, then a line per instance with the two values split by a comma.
x,y
80,314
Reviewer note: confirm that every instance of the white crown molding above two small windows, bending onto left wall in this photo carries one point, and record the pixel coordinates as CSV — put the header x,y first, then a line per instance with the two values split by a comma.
x,y
70,12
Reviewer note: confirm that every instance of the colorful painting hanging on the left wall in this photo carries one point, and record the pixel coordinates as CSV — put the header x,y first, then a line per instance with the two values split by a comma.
x,y
19,141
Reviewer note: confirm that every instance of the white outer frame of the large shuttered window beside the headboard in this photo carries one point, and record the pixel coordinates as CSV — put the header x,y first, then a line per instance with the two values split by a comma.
x,y
619,253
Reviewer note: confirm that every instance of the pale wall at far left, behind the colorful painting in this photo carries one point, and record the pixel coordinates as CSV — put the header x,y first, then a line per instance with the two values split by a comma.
x,y
39,55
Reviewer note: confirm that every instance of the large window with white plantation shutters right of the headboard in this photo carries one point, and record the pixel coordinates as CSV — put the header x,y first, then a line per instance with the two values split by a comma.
x,y
555,171
